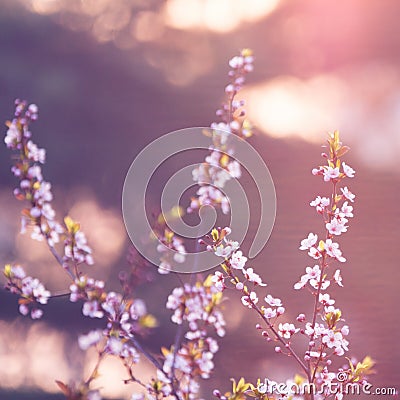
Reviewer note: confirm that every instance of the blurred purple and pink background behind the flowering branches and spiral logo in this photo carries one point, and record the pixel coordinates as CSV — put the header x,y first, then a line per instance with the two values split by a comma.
x,y
110,76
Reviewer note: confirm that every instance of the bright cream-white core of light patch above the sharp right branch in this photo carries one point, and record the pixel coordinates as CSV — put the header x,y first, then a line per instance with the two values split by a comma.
x,y
288,106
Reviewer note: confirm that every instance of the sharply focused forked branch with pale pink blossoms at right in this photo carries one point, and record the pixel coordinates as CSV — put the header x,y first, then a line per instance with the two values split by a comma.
x,y
324,328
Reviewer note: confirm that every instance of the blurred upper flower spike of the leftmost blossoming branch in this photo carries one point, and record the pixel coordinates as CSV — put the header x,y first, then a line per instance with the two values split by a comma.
x,y
37,193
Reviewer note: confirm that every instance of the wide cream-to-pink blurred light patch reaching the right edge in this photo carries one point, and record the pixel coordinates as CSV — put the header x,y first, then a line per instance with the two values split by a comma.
x,y
361,101
